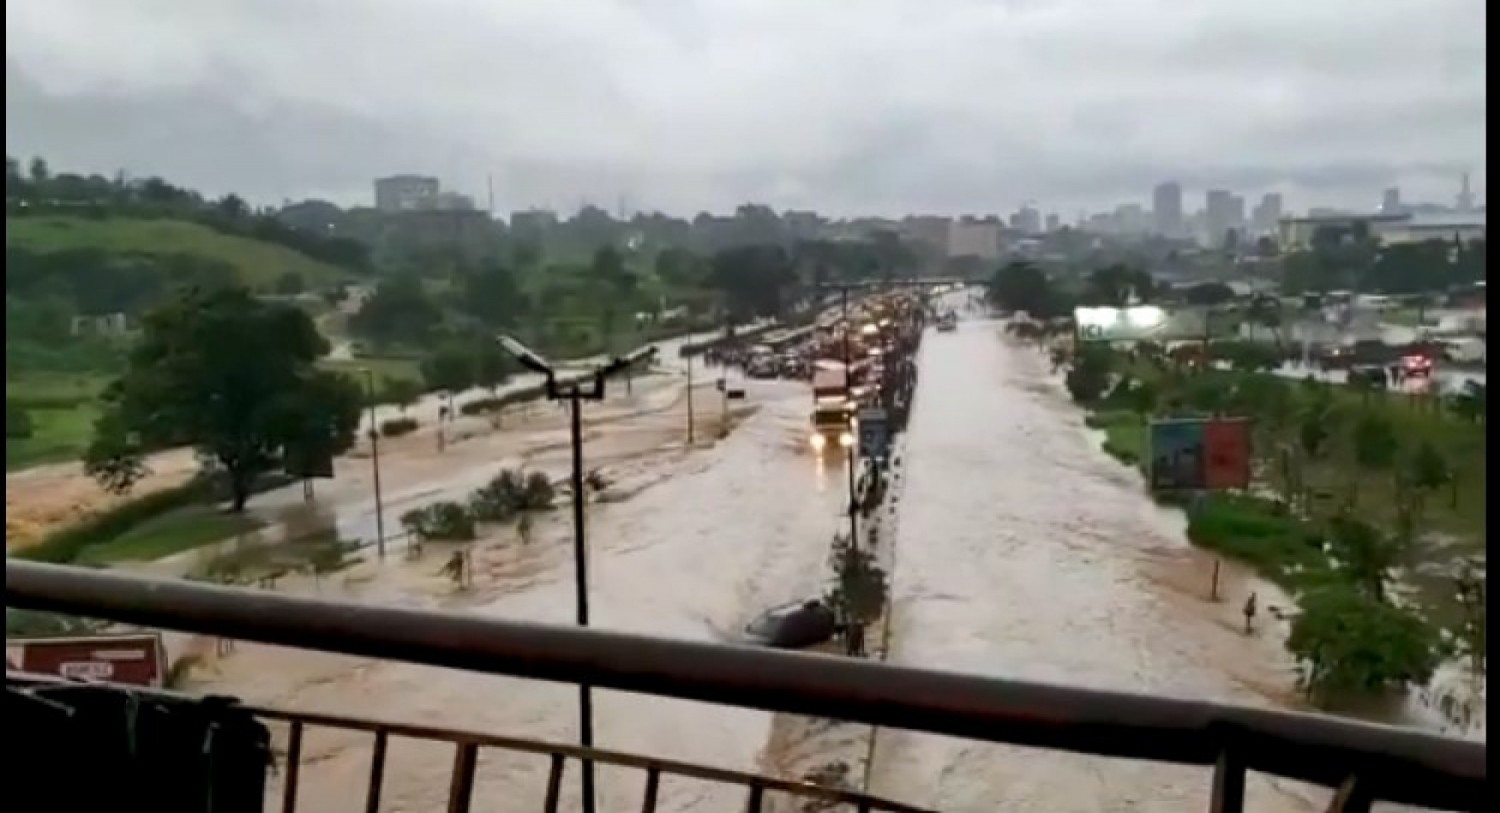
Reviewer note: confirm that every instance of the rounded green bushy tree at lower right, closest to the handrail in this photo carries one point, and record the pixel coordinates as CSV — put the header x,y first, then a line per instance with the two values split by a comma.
x,y
1346,643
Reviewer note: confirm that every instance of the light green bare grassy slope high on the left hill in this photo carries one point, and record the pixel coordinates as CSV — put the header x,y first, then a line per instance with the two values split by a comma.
x,y
257,263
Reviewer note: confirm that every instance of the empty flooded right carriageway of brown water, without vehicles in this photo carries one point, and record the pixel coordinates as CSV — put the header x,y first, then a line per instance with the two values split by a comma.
x,y
1027,553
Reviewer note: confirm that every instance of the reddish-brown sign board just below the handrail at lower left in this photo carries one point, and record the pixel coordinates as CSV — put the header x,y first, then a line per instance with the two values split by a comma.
x,y
137,659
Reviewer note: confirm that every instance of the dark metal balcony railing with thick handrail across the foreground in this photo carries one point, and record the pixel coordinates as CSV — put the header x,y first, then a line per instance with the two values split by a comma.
x,y
1361,763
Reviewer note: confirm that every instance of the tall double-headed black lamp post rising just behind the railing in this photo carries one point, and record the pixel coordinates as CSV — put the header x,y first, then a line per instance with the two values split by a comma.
x,y
575,392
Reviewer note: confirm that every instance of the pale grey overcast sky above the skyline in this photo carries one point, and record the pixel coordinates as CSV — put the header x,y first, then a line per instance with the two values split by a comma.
x,y
842,106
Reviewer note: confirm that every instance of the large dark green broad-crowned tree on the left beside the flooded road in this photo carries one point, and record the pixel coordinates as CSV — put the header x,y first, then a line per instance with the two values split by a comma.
x,y
194,380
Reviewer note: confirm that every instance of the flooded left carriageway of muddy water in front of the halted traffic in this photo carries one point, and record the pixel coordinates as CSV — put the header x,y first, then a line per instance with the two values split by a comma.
x,y
694,547
